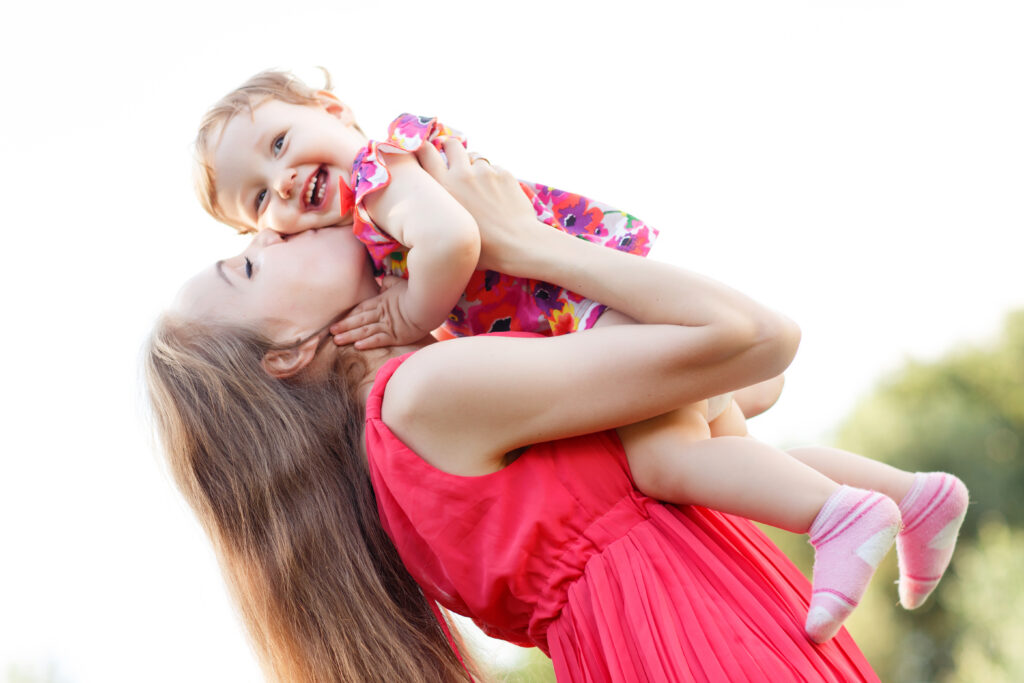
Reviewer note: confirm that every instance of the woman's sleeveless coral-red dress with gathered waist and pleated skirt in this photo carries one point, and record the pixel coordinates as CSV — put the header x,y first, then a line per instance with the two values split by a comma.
x,y
561,551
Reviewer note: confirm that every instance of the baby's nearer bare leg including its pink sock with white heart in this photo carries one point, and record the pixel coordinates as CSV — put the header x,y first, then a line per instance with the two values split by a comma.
x,y
850,529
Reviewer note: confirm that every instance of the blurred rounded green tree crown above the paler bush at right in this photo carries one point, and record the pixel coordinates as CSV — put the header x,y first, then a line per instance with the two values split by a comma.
x,y
964,414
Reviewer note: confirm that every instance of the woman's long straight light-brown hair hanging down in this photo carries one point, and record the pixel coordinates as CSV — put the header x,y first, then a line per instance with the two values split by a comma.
x,y
275,471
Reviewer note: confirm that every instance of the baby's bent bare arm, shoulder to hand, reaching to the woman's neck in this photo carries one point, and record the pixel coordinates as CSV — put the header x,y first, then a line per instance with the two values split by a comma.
x,y
444,248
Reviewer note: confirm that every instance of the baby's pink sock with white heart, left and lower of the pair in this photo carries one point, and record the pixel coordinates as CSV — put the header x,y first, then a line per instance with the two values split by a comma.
x,y
851,535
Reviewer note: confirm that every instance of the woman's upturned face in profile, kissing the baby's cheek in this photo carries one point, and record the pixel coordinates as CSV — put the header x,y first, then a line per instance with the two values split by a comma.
x,y
286,288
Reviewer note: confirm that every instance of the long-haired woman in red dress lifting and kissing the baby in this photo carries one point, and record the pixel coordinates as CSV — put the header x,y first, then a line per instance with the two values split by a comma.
x,y
263,420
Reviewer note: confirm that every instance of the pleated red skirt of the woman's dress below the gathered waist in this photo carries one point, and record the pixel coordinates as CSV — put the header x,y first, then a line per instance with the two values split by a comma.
x,y
695,595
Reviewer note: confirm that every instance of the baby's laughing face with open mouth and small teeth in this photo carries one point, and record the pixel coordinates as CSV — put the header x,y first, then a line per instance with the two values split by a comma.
x,y
281,168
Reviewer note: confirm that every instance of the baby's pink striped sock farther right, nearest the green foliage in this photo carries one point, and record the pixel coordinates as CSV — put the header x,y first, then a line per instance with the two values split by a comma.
x,y
933,513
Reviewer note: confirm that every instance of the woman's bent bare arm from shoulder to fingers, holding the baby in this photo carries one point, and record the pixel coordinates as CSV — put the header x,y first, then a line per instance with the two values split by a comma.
x,y
462,405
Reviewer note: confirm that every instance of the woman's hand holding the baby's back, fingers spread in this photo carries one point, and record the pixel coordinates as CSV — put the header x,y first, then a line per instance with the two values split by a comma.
x,y
503,212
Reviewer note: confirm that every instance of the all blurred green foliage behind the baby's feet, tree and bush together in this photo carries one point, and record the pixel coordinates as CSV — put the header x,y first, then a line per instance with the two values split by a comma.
x,y
963,414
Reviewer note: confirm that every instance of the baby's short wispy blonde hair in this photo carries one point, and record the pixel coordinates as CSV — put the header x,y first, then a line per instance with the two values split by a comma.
x,y
271,84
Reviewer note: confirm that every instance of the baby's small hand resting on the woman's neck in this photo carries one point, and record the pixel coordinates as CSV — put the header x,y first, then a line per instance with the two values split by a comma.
x,y
379,321
